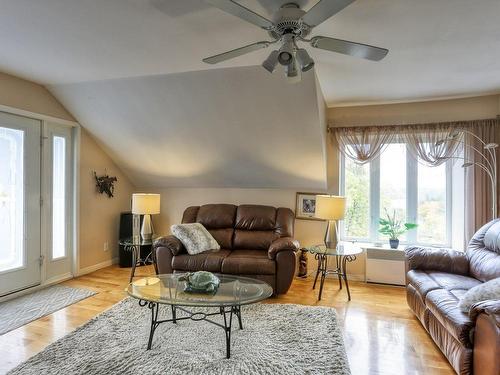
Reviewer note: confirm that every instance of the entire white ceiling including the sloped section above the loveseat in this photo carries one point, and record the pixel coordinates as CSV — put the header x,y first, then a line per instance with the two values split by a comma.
x,y
131,72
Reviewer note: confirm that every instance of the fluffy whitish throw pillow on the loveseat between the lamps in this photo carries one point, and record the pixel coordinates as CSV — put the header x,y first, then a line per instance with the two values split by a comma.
x,y
195,238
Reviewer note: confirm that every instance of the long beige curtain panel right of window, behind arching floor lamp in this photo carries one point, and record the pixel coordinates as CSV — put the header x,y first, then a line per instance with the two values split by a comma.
x,y
478,189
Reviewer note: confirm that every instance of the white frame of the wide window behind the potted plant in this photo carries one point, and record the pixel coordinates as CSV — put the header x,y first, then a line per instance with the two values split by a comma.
x,y
411,200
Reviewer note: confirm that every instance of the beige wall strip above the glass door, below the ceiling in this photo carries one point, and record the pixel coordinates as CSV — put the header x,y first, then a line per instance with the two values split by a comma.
x,y
29,96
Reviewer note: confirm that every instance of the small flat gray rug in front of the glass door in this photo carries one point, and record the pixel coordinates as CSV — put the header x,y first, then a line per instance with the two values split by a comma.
x,y
22,310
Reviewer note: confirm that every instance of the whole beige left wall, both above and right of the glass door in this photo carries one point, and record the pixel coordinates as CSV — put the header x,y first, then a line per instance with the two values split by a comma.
x,y
99,215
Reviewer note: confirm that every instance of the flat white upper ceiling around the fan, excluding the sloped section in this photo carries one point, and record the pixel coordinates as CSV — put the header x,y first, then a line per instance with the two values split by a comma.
x,y
438,48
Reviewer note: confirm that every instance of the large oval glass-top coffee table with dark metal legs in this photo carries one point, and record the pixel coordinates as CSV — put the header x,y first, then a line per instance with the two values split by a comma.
x,y
233,292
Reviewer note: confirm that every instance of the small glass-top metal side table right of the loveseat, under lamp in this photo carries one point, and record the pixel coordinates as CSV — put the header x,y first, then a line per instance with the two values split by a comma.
x,y
343,253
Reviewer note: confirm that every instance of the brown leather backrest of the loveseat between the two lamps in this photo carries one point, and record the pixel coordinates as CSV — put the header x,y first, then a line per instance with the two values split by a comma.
x,y
247,226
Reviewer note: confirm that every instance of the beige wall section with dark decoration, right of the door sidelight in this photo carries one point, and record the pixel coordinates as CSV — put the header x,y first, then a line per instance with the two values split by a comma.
x,y
99,215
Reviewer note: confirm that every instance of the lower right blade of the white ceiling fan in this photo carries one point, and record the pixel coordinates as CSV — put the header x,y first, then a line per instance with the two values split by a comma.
x,y
364,51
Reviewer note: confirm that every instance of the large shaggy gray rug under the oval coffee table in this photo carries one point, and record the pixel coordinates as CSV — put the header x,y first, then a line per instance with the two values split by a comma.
x,y
276,339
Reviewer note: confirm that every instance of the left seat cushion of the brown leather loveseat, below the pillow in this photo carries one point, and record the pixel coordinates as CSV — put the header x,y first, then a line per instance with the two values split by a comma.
x,y
207,261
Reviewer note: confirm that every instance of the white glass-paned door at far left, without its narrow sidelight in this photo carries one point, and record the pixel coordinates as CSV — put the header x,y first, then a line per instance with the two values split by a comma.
x,y
20,256
